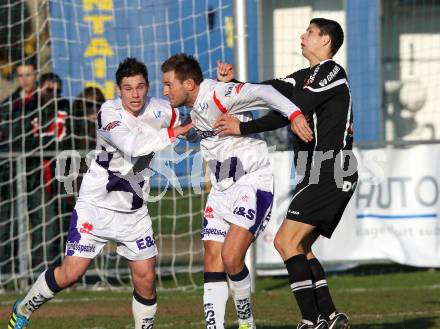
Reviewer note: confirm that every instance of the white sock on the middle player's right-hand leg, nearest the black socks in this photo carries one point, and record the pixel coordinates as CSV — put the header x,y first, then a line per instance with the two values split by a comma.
x,y
241,292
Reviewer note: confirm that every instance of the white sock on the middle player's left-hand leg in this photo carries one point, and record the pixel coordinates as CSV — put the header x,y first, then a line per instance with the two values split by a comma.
x,y
215,297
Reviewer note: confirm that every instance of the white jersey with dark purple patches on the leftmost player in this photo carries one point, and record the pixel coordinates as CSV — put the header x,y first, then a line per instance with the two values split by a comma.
x,y
117,178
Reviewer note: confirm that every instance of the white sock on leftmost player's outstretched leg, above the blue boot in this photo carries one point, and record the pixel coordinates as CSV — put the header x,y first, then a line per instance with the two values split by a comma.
x,y
39,294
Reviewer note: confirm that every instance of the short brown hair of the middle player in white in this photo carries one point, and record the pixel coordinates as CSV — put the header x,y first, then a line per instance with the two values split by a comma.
x,y
185,66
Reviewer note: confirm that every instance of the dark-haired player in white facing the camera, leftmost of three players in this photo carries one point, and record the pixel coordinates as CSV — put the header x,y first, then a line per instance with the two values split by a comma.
x,y
111,203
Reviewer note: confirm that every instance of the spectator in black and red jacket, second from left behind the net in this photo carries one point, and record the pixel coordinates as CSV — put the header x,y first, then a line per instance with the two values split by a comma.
x,y
45,203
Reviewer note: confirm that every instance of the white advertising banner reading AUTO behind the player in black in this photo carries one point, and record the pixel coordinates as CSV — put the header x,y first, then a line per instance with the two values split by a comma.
x,y
393,214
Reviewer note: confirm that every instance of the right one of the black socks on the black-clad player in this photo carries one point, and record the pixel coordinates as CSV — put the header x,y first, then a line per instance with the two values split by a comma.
x,y
322,293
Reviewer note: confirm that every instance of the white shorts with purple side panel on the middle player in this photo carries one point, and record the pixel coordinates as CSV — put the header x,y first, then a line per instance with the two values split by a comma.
x,y
247,204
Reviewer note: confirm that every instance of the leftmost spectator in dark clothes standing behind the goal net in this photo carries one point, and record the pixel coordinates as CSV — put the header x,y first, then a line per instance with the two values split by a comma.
x,y
12,110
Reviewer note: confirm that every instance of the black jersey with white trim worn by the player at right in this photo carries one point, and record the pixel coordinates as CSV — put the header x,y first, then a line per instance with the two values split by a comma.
x,y
323,94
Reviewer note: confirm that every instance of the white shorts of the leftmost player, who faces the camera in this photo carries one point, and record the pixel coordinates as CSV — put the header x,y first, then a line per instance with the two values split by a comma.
x,y
91,227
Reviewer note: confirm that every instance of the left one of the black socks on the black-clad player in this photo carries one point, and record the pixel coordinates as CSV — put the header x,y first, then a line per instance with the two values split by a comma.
x,y
300,279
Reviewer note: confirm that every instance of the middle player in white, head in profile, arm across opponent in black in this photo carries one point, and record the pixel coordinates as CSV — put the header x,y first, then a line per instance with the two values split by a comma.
x,y
241,177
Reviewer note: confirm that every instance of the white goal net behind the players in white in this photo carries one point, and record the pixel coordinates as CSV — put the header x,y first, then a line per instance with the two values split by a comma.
x,y
82,42
